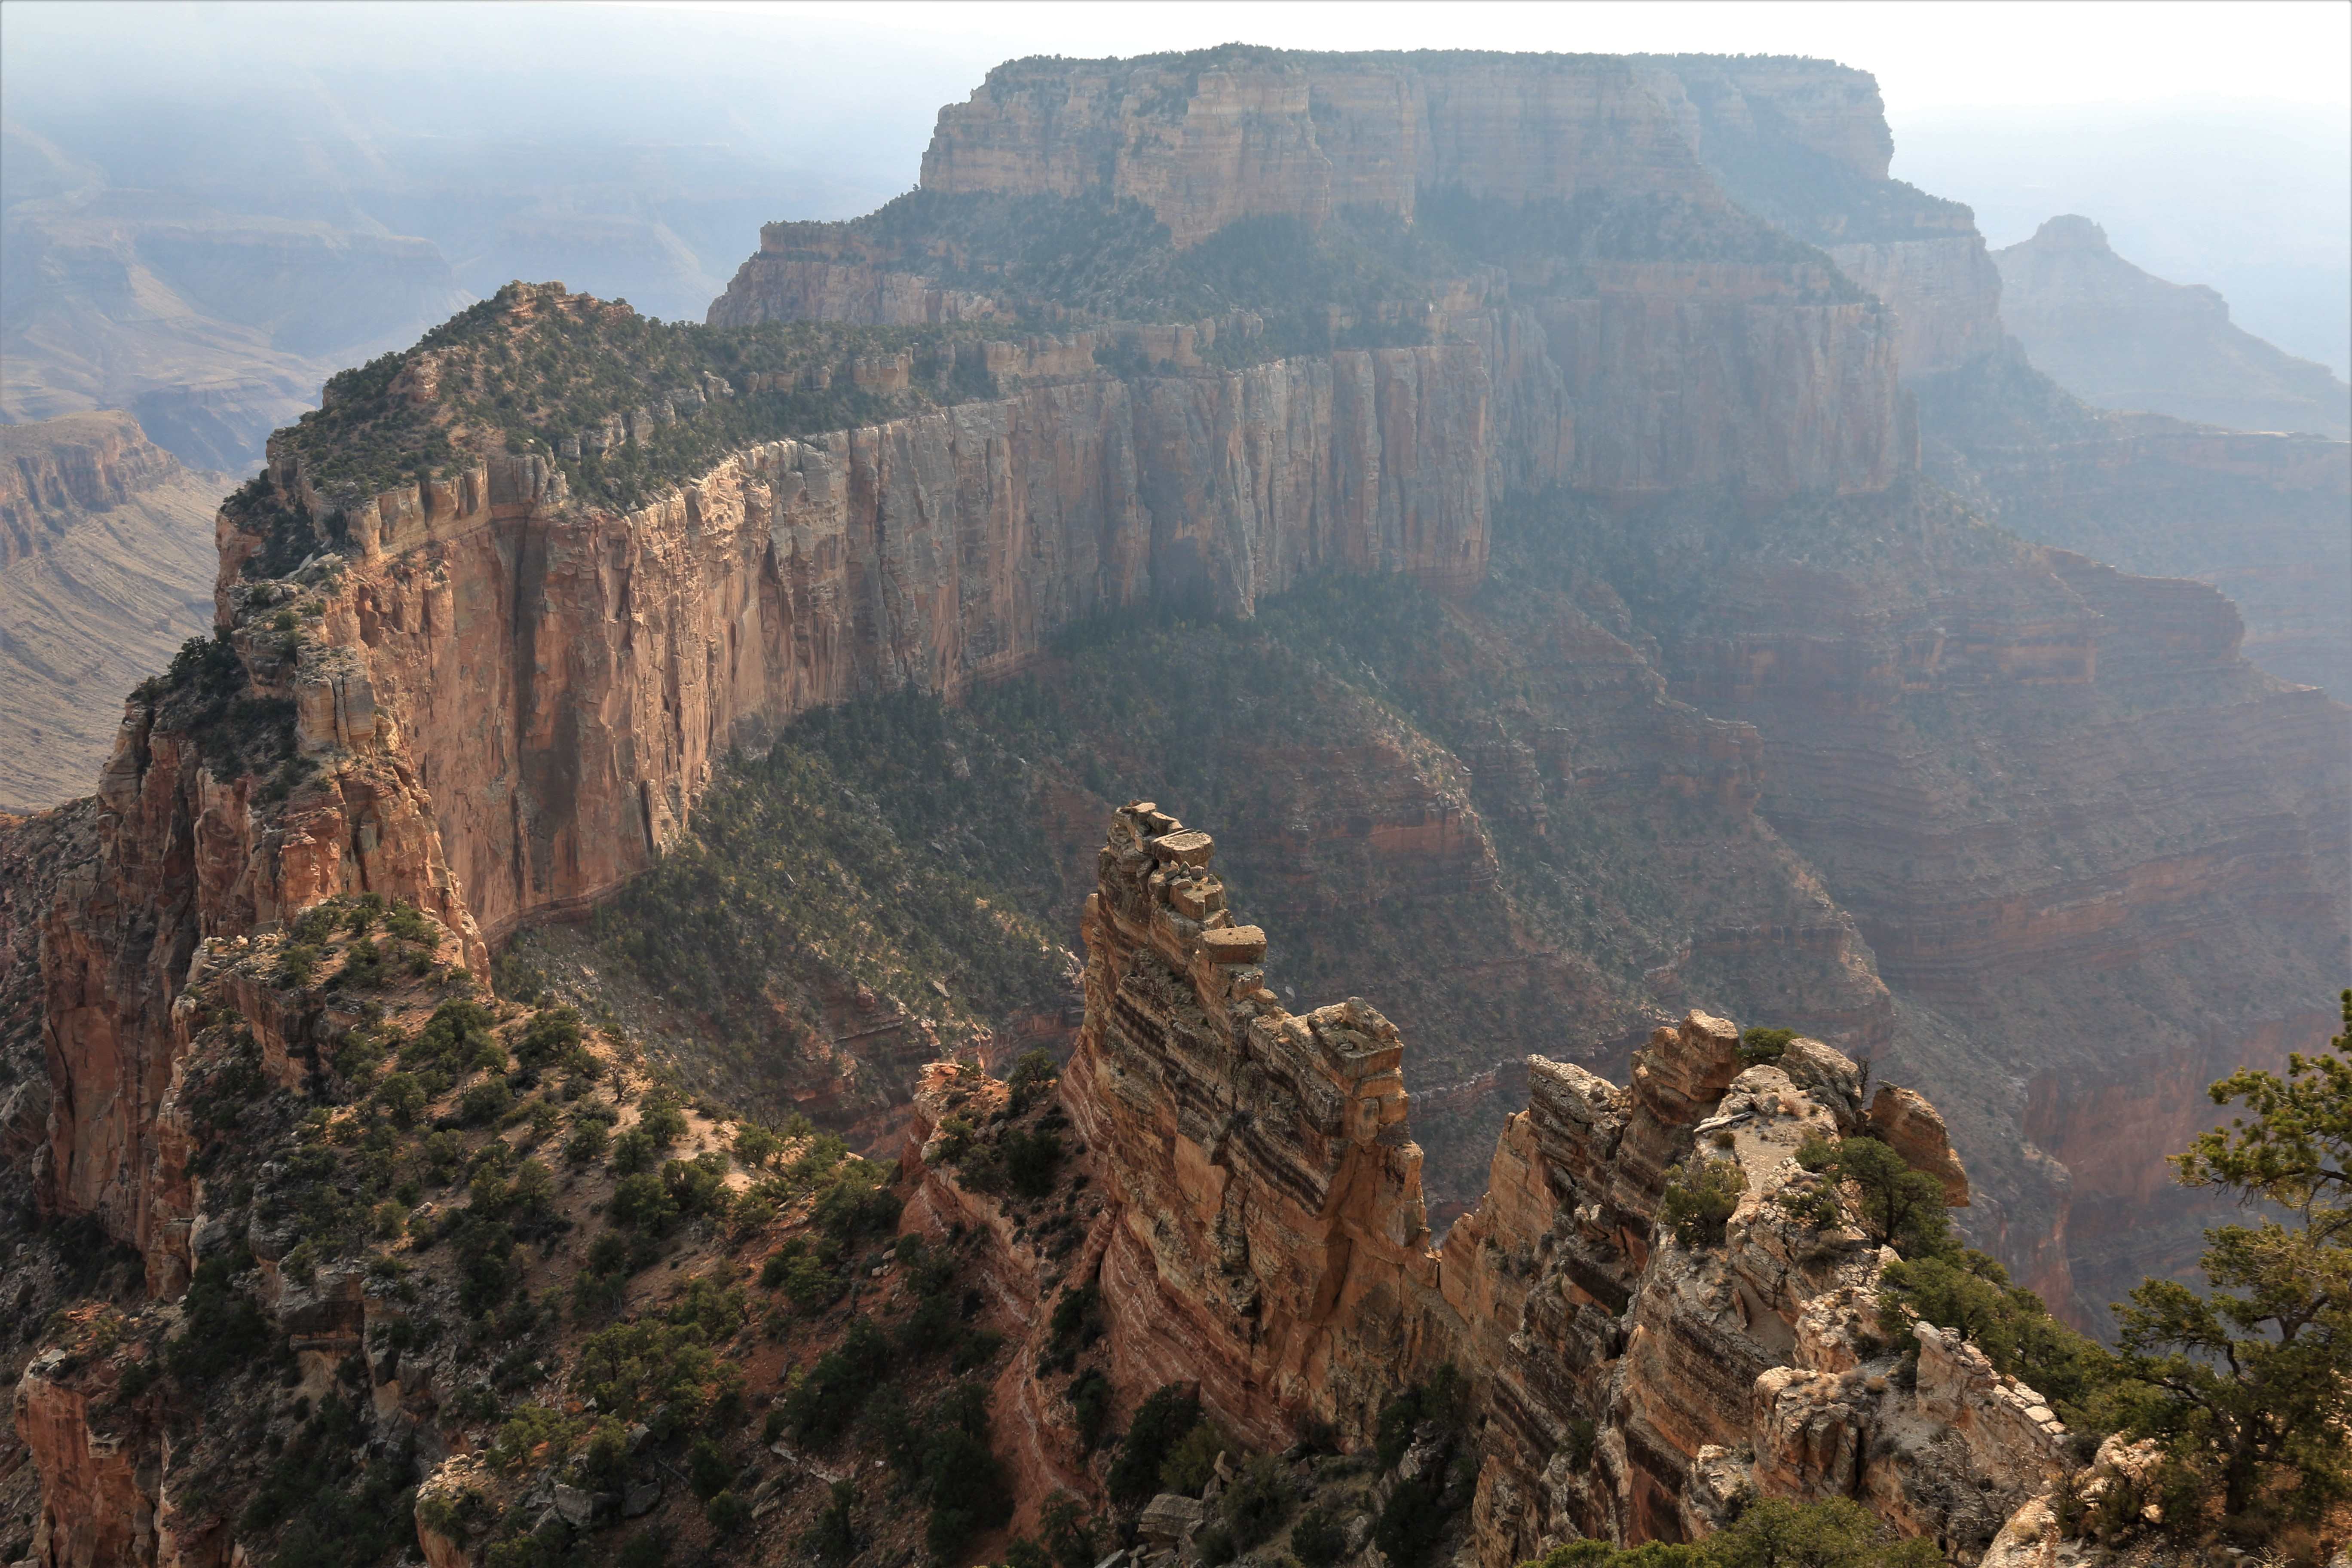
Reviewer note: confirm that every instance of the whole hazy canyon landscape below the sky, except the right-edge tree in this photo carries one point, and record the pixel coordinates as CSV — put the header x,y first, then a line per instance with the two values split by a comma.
x,y
603,949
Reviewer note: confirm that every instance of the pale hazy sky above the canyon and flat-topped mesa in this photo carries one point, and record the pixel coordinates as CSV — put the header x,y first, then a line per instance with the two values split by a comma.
x,y
2212,140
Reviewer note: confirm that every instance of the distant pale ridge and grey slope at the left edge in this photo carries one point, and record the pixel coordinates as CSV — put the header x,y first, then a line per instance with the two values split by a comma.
x,y
105,570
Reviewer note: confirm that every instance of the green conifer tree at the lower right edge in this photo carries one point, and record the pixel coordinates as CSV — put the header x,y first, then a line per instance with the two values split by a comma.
x,y
2250,1383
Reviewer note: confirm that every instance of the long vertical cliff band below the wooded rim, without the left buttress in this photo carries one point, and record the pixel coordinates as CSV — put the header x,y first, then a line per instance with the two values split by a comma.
x,y
566,676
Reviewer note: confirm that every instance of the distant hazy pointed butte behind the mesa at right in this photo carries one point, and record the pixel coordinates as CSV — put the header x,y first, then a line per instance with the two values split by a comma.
x,y
2123,340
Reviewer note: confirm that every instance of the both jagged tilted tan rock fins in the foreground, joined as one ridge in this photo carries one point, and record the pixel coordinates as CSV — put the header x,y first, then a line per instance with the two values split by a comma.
x,y
1267,1240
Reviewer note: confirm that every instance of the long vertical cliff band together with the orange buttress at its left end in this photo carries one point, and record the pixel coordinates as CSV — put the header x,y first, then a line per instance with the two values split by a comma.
x,y
502,704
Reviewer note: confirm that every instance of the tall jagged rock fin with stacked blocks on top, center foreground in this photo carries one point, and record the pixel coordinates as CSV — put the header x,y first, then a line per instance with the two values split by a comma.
x,y
1269,1235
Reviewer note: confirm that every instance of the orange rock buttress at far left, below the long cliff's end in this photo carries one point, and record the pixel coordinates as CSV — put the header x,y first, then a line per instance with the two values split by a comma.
x,y
189,850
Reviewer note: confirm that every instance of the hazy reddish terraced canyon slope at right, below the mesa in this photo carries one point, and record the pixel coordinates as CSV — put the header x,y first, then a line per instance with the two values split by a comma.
x,y
1963,770
